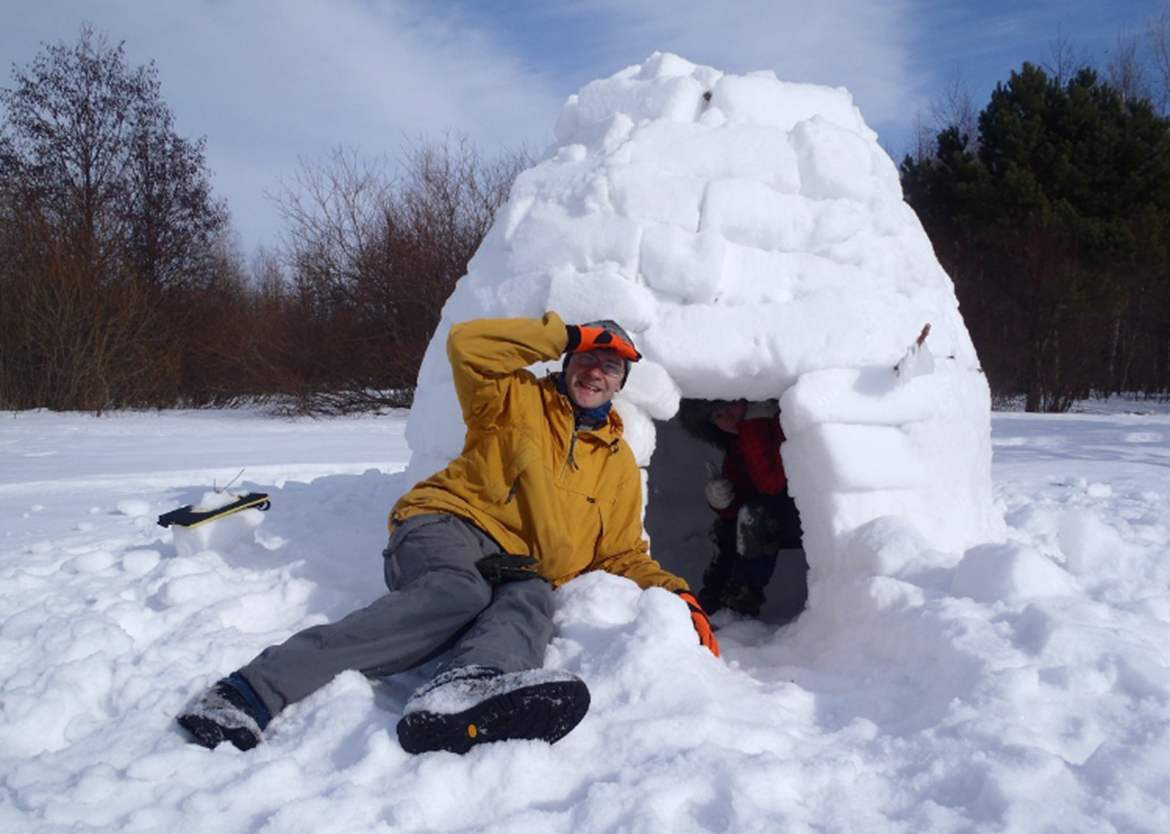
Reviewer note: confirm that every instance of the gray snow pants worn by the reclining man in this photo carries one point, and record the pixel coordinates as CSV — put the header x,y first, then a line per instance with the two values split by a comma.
x,y
438,601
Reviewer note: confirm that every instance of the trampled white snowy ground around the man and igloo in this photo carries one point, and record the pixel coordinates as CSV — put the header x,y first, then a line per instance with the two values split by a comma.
x,y
1026,690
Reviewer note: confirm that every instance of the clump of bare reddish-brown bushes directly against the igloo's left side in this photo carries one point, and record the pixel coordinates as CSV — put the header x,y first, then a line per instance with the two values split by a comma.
x,y
374,258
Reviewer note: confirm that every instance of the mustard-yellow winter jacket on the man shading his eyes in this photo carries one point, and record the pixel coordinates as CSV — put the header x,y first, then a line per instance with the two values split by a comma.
x,y
527,475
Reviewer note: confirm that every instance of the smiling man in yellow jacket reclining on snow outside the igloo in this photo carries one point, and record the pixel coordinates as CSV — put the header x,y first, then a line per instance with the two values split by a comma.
x,y
543,492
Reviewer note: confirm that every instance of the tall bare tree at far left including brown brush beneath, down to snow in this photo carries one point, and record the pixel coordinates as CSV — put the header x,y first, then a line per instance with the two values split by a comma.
x,y
111,239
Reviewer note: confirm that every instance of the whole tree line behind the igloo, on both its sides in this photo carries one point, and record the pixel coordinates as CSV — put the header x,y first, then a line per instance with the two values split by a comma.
x,y
122,287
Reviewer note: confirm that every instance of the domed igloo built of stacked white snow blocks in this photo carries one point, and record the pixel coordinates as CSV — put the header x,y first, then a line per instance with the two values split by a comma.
x,y
753,238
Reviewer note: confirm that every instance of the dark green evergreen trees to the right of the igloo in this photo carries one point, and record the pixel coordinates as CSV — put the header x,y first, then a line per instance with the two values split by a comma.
x,y
1051,211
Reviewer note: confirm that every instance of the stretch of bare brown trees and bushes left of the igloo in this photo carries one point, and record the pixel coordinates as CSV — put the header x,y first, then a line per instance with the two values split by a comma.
x,y
122,287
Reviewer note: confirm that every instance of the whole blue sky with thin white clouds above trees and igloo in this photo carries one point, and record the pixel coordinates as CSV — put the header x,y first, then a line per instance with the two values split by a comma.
x,y
274,82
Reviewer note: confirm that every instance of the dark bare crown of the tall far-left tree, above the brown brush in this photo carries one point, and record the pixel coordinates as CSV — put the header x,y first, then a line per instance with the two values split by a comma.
x,y
92,144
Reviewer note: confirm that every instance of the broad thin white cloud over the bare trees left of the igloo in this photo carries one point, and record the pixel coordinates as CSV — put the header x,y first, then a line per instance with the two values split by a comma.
x,y
271,82
